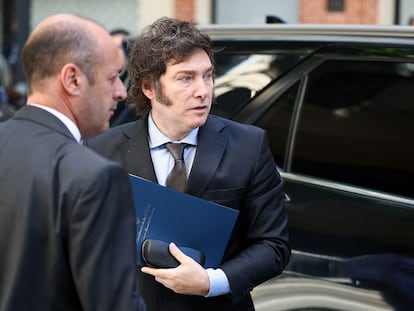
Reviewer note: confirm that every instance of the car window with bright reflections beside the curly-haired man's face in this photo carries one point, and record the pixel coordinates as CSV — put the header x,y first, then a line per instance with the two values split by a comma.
x,y
239,77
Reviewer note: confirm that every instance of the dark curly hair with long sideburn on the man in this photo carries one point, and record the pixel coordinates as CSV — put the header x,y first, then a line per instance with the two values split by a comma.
x,y
166,40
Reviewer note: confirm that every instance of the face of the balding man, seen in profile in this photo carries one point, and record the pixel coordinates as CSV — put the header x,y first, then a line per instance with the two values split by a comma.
x,y
100,98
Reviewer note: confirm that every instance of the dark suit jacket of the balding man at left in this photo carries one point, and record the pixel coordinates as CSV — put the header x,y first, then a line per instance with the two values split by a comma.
x,y
67,237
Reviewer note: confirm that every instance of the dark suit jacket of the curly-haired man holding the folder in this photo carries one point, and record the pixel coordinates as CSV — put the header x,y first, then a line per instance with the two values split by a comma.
x,y
233,166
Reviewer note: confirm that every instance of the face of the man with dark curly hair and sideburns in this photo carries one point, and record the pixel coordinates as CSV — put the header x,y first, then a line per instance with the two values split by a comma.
x,y
184,100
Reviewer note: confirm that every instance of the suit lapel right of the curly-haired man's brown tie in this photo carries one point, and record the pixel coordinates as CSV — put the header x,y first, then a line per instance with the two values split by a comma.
x,y
210,149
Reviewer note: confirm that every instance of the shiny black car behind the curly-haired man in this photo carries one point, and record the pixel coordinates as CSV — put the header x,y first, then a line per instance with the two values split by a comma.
x,y
338,105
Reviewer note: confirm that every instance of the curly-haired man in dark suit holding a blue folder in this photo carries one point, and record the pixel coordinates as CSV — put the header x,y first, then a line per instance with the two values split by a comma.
x,y
171,70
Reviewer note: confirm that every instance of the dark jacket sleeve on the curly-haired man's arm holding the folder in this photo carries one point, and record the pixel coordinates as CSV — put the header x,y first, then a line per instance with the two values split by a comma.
x,y
265,249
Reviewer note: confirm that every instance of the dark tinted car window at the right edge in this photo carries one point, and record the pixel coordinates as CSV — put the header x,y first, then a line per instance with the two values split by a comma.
x,y
356,125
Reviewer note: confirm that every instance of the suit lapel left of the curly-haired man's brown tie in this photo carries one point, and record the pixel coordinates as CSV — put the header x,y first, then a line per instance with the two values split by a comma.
x,y
135,151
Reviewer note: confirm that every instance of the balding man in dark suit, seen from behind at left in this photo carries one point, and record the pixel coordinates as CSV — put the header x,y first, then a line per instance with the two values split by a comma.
x,y
67,221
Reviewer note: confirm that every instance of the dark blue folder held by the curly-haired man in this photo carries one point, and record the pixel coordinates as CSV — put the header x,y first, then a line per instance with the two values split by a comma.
x,y
166,214
